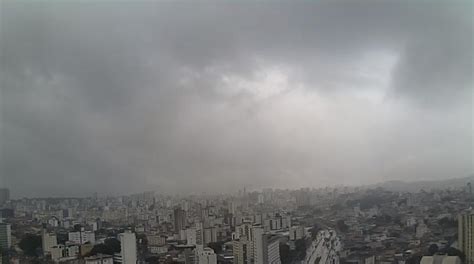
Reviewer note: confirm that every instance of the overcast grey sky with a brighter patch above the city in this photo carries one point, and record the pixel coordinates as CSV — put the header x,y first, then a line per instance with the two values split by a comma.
x,y
117,97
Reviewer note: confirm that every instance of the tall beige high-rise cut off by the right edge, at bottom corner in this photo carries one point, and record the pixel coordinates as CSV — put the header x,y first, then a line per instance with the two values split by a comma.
x,y
466,235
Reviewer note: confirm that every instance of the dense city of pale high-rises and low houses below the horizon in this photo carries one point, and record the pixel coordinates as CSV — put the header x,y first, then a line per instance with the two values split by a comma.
x,y
337,225
